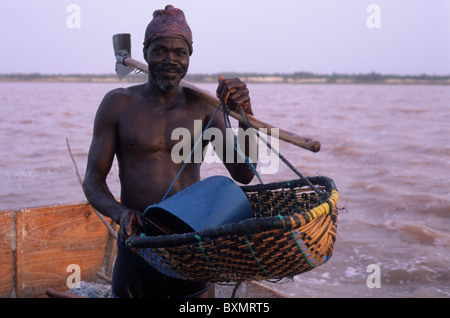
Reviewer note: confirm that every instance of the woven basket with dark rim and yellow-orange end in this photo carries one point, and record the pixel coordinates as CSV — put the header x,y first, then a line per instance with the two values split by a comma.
x,y
292,232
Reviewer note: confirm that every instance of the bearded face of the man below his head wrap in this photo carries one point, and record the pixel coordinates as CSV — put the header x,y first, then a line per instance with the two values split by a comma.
x,y
168,62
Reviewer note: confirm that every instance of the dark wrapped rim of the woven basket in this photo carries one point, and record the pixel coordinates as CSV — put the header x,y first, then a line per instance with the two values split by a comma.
x,y
249,226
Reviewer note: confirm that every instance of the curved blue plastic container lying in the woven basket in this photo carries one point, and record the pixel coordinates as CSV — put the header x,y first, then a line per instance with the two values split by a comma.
x,y
210,203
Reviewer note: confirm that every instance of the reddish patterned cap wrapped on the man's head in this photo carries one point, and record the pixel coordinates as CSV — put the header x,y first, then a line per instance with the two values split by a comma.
x,y
171,23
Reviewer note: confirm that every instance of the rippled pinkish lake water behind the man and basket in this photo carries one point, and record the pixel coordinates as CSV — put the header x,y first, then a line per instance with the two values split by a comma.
x,y
387,147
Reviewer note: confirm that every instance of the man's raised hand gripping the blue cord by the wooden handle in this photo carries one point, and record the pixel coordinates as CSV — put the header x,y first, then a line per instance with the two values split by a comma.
x,y
234,93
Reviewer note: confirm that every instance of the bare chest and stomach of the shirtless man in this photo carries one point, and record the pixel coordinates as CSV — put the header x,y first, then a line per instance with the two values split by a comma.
x,y
144,146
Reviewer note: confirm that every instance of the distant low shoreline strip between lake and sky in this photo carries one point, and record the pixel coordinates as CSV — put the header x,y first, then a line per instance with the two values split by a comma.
x,y
294,78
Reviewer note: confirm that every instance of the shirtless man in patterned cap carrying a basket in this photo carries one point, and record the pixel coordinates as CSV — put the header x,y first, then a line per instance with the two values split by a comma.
x,y
135,124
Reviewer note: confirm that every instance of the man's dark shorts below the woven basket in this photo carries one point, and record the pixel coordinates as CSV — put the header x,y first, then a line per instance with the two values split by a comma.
x,y
133,277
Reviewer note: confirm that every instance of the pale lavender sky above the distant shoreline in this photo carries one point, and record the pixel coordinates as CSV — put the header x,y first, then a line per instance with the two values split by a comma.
x,y
405,37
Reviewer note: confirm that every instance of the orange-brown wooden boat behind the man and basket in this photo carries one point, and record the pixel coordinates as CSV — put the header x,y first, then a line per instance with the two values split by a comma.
x,y
38,245
